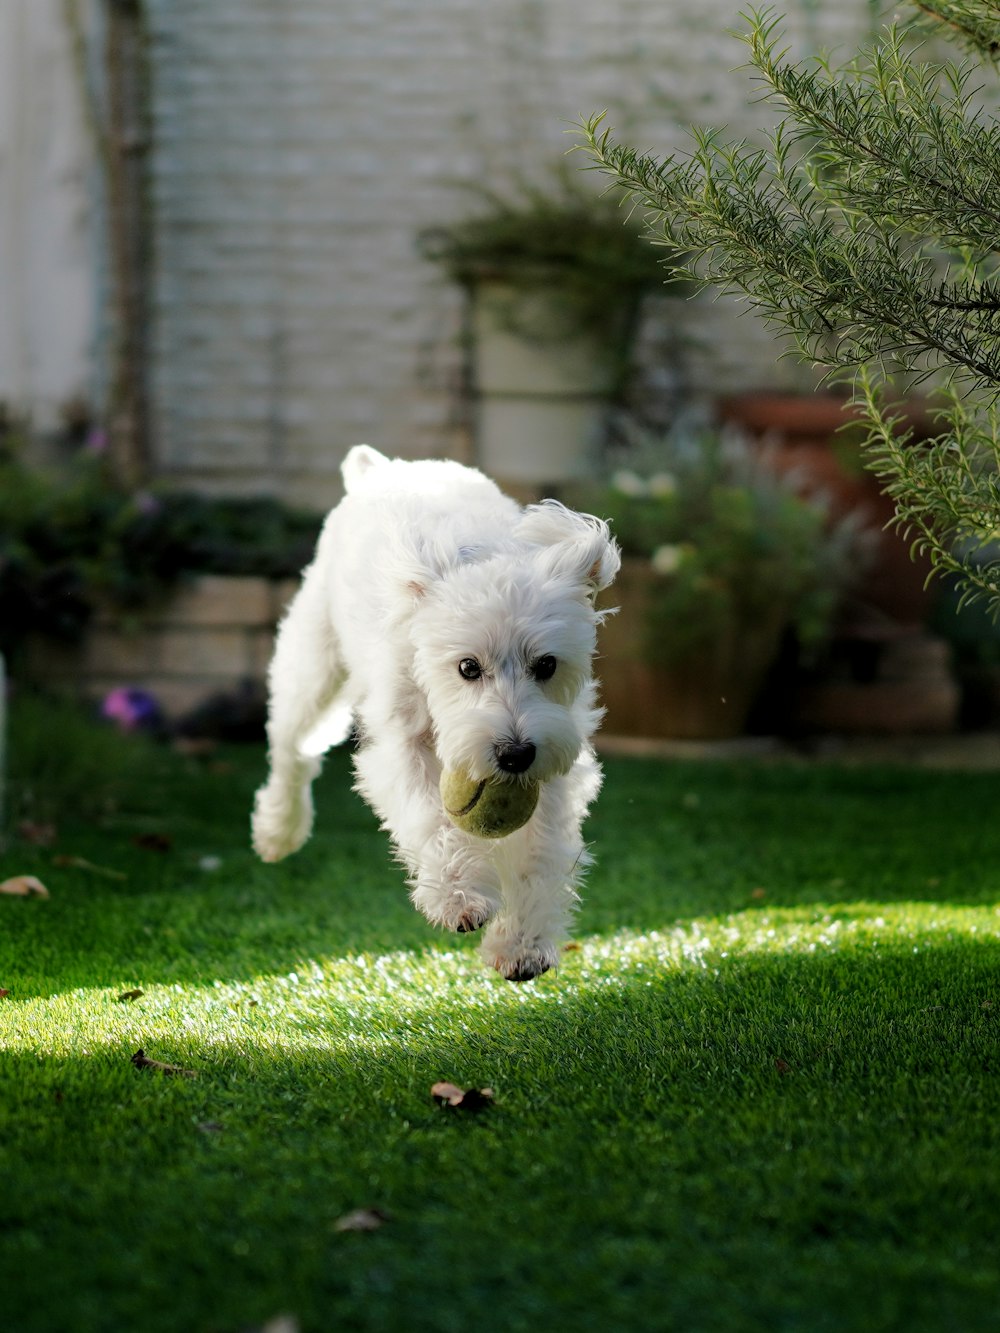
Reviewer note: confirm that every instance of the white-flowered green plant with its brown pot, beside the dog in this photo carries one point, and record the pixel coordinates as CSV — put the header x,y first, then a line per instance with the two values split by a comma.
x,y
722,558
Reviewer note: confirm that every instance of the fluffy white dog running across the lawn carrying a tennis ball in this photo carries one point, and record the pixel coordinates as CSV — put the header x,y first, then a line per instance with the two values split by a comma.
x,y
457,631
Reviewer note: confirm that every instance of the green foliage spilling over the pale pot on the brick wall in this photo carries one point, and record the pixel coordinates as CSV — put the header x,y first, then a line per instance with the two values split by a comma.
x,y
589,246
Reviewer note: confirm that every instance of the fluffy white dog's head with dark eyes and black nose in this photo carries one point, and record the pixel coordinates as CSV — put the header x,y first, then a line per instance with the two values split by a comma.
x,y
505,643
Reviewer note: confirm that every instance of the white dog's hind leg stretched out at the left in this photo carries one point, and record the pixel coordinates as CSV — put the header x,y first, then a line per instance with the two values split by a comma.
x,y
305,718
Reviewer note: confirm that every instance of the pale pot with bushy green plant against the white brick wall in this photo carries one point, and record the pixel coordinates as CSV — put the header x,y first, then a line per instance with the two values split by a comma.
x,y
555,283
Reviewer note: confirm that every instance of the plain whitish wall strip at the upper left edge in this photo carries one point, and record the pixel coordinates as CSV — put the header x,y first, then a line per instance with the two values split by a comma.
x,y
49,271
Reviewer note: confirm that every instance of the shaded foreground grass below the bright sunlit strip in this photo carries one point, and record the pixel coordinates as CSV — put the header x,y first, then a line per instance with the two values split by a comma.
x,y
789,1140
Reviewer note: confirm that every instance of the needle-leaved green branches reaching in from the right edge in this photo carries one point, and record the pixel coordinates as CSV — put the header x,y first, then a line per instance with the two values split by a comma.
x,y
866,231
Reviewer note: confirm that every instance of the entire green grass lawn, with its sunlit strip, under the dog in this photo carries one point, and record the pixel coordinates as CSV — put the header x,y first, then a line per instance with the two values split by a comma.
x,y
763,1092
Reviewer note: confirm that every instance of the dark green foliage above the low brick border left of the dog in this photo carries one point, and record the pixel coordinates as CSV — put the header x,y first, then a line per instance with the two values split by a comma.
x,y
71,539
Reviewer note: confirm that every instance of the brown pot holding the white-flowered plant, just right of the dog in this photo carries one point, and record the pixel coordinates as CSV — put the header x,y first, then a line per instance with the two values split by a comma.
x,y
705,696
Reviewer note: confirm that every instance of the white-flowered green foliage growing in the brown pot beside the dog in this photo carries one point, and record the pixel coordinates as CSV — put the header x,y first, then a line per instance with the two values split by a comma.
x,y
731,543
